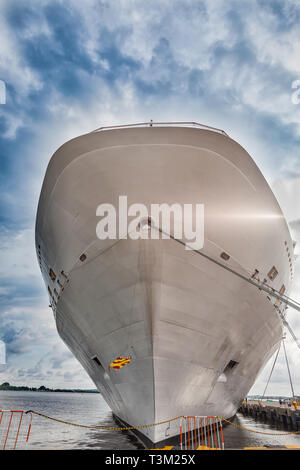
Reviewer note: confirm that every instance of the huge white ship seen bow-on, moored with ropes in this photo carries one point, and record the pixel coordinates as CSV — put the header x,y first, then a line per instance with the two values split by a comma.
x,y
188,337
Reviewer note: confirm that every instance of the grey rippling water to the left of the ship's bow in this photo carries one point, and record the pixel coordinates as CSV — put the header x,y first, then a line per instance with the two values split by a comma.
x,y
81,408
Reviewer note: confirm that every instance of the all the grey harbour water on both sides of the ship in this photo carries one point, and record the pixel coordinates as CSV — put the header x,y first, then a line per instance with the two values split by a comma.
x,y
91,409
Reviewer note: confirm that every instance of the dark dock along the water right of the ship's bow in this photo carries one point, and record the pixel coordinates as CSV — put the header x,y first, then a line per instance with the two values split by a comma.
x,y
273,412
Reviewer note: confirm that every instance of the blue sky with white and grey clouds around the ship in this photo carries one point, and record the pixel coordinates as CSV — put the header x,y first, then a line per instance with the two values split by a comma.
x,y
70,67
